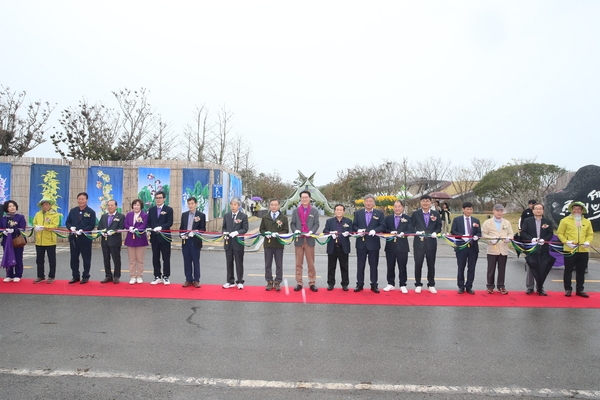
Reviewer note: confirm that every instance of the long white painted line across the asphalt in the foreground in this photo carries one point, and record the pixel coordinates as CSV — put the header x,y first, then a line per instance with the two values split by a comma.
x,y
253,384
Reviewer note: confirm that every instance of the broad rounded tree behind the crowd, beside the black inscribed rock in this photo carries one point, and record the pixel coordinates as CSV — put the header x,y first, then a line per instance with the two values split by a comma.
x,y
519,182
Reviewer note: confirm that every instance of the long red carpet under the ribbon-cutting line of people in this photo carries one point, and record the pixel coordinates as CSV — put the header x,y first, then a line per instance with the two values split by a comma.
x,y
446,298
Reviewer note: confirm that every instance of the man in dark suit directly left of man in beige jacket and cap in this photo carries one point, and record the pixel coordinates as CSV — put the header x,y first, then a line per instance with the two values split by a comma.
x,y
468,227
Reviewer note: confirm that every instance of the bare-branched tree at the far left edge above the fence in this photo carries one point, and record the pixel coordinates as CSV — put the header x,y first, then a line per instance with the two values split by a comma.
x,y
21,133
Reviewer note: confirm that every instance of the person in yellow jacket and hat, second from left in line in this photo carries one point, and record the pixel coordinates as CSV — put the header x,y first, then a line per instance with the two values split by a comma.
x,y
45,221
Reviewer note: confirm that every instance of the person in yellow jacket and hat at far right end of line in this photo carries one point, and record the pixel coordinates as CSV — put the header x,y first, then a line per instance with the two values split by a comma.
x,y
576,234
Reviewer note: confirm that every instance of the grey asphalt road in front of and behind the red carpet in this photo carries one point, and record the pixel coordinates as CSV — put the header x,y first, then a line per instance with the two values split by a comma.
x,y
121,348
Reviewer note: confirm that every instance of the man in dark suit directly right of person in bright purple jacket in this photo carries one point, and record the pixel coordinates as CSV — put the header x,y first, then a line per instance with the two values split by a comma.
x,y
192,222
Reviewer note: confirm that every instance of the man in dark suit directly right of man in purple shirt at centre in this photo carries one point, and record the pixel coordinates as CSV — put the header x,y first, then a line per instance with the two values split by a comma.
x,y
338,246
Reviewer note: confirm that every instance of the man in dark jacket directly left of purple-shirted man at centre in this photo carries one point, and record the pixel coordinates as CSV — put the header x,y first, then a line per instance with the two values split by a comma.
x,y
272,224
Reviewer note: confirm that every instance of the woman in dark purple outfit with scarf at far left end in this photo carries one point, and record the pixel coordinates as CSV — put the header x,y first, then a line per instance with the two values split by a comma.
x,y
11,225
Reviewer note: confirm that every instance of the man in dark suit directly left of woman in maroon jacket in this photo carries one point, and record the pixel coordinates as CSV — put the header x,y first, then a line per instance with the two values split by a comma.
x,y
111,241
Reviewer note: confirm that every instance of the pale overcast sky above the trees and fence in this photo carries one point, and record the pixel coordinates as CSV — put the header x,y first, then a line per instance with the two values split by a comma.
x,y
320,86
